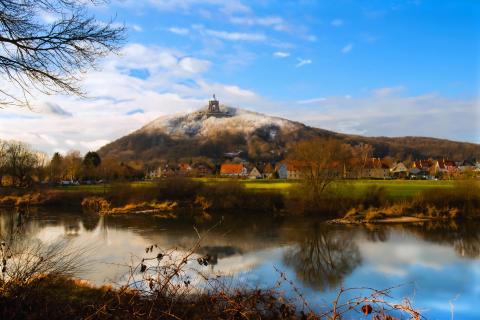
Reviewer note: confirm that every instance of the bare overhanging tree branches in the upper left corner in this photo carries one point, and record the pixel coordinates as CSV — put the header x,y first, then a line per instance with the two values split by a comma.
x,y
36,55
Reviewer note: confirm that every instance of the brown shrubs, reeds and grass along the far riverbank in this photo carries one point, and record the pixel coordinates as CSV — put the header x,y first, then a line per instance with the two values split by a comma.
x,y
342,202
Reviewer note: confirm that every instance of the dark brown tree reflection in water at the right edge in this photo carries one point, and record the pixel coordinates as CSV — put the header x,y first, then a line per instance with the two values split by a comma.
x,y
463,236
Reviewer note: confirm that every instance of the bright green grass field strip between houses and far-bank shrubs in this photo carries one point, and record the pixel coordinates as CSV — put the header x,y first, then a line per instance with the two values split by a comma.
x,y
396,189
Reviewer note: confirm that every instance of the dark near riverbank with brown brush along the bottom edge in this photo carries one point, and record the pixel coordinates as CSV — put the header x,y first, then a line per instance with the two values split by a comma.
x,y
65,298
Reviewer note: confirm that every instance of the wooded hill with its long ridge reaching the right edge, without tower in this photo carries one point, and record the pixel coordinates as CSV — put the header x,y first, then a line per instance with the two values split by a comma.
x,y
258,137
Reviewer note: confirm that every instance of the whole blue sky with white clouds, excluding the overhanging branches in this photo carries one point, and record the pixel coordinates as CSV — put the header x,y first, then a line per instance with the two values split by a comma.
x,y
377,67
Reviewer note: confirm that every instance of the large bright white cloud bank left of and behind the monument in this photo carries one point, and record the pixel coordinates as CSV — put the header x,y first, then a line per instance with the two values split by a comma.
x,y
174,84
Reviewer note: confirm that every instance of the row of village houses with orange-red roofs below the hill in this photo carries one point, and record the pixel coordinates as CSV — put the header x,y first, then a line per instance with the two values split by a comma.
x,y
373,168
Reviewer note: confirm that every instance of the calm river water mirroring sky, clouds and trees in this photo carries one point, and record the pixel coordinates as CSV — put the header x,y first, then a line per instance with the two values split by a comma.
x,y
436,265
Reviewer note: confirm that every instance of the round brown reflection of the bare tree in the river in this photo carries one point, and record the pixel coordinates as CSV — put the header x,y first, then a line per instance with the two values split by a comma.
x,y
323,256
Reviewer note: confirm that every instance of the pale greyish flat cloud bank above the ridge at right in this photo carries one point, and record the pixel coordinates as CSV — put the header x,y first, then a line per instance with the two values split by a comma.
x,y
391,115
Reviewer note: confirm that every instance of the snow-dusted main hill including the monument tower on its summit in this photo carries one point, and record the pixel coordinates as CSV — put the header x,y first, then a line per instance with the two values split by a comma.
x,y
211,132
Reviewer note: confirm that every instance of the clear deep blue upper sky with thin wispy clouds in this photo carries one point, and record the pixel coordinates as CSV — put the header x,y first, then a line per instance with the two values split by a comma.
x,y
353,46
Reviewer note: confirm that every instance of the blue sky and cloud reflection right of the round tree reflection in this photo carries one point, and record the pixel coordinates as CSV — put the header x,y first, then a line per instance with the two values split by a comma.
x,y
436,274
